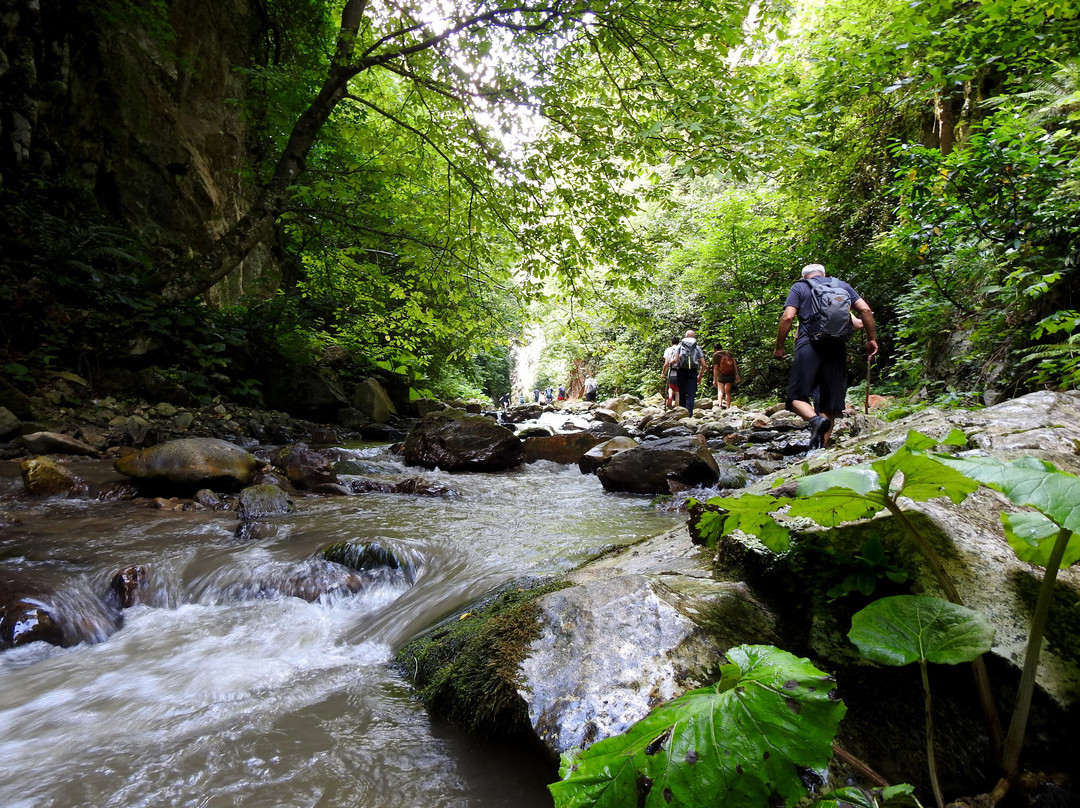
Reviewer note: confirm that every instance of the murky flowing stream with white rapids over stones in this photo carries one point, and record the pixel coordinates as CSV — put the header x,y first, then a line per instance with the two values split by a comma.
x,y
224,694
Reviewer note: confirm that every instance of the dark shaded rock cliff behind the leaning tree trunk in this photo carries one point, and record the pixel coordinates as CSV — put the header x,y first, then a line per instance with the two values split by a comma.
x,y
140,117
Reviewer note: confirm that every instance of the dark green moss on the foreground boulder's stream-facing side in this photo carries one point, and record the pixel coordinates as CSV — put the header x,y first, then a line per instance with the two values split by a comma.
x,y
467,669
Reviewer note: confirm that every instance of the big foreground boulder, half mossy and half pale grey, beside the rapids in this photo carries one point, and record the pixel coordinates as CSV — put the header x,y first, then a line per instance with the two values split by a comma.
x,y
577,661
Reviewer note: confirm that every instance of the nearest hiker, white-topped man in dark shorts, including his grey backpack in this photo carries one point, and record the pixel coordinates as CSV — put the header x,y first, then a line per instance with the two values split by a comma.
x,y
823,306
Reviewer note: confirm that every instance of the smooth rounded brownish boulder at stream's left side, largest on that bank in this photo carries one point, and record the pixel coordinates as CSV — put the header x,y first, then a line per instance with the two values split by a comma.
x,y
191,464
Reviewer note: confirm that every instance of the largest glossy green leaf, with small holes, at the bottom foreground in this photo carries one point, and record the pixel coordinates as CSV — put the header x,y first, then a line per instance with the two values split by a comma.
x,y
736,744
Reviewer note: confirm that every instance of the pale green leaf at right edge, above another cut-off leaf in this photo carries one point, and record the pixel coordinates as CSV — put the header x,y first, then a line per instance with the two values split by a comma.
x,y
1028,481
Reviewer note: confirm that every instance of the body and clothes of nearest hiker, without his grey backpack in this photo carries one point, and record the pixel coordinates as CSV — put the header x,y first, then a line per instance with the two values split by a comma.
x,y
819,363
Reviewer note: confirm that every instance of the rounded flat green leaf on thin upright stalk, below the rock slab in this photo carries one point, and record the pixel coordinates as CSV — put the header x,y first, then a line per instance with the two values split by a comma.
x,y
906,629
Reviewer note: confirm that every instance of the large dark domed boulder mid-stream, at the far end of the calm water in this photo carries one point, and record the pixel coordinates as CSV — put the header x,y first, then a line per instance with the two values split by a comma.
x,y
456,441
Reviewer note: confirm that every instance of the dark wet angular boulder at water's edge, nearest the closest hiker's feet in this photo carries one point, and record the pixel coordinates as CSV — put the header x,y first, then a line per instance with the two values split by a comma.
x,y
647,468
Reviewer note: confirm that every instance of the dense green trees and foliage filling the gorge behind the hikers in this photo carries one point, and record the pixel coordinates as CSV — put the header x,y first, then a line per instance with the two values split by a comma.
x,y
436,180
